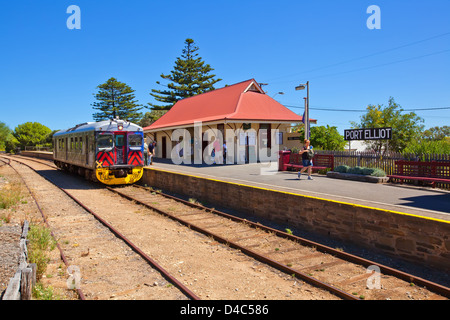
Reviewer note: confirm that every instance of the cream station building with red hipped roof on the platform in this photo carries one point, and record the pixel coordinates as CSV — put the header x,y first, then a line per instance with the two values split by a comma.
x,y
240,121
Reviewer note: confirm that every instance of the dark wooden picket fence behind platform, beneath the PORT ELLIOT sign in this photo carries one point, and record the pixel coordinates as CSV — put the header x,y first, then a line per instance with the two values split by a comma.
x,y
385,161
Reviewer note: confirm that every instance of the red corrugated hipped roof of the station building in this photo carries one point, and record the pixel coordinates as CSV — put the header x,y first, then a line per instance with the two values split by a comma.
x,y
241,101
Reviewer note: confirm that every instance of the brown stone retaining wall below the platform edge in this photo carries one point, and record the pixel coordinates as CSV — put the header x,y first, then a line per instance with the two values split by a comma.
x,y
412,238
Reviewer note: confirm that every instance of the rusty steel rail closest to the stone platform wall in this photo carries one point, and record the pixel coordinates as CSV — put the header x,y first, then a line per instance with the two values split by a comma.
x,y
435,287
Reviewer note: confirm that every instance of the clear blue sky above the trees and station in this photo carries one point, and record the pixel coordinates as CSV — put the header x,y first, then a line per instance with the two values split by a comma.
x,y
49,73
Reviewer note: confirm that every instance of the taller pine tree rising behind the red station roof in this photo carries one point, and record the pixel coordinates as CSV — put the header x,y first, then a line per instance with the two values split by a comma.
x,y
190,76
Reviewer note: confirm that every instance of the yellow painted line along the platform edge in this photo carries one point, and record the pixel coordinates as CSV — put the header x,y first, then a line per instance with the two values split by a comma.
x,y
302,195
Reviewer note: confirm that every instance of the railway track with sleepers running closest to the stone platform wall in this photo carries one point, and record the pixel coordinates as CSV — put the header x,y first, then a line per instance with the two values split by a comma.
x,y
344,275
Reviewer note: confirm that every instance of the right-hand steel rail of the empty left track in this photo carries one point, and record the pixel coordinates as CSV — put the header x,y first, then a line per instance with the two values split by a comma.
x,y
147,258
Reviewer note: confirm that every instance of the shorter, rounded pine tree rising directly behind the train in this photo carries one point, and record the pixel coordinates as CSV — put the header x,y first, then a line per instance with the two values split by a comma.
x,y
116,98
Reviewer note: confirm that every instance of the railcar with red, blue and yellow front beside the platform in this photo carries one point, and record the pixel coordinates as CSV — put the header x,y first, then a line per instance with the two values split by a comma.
x,y
109,151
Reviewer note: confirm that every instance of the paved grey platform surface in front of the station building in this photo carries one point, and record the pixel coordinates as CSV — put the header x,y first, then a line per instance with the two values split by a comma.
x,y
421,201
